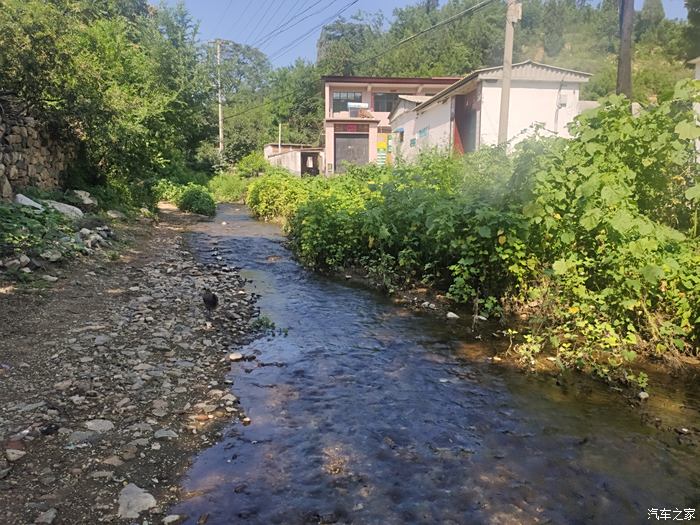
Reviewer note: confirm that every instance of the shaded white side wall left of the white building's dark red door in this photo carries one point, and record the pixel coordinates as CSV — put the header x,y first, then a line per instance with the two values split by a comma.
x,y
437,126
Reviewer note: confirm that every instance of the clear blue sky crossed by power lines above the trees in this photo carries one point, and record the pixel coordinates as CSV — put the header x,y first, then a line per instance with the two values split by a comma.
x,y
249,20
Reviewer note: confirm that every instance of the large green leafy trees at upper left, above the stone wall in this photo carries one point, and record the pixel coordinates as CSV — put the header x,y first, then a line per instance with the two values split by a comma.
x,y
124,81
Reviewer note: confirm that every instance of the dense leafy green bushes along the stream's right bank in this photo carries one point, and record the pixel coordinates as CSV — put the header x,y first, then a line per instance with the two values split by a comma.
x,y
594,238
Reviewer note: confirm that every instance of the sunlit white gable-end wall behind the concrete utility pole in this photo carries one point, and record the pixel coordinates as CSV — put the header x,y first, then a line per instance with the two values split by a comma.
x,y
531,102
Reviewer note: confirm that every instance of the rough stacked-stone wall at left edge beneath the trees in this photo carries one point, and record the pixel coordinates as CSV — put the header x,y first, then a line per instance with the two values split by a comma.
x,y
29,155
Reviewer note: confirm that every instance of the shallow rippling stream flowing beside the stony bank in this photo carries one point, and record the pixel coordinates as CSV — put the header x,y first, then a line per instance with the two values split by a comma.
x,y
365,412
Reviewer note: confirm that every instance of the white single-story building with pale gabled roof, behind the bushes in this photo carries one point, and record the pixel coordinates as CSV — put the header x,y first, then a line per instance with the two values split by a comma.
x,y
464,116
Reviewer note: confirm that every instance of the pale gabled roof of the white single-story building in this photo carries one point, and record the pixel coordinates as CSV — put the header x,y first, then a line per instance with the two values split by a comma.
x,y
528,70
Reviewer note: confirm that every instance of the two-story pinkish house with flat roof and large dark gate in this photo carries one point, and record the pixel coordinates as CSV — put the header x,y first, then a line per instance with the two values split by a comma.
x,y
357,112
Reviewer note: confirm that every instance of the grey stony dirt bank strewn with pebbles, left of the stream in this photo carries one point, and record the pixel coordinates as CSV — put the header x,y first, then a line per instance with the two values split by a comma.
x,y
112,378
